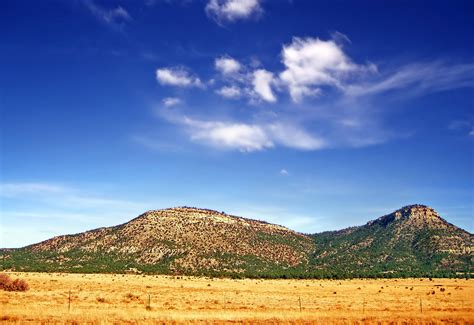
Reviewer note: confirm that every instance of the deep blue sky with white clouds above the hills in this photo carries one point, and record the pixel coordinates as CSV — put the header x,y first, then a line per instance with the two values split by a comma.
x,y
313,115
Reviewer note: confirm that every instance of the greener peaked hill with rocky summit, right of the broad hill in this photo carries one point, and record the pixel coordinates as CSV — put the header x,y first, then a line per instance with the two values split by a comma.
x,y
413,240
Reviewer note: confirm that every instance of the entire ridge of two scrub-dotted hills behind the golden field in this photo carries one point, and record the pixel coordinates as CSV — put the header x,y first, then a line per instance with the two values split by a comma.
x,y
412,241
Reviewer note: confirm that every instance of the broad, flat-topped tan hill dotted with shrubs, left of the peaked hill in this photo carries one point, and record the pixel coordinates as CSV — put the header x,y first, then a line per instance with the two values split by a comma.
x,y
178,240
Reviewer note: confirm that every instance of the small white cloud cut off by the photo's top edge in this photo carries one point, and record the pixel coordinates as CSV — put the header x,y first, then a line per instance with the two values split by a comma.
x,y
232,10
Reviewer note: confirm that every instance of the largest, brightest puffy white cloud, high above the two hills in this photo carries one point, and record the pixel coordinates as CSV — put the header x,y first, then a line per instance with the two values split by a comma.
x,y
311,64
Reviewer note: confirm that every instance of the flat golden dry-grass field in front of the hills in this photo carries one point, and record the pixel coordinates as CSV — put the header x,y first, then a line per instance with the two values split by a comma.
x,y
164,299
